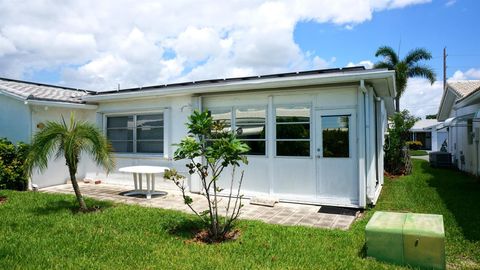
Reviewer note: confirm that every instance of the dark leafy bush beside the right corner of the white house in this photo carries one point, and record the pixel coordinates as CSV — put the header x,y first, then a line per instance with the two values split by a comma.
x,y
397,159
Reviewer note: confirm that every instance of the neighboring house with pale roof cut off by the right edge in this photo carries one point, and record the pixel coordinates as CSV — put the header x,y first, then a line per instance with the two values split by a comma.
x,y
459,109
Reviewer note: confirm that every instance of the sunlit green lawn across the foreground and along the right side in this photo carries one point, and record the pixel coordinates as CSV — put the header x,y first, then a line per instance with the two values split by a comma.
x,y
39,231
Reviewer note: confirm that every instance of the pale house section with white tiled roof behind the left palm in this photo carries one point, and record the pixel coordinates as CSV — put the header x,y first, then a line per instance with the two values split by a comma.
x,y
24,106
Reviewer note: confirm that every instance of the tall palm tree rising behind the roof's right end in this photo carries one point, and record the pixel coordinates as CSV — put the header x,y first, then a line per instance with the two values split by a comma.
x,y
406,68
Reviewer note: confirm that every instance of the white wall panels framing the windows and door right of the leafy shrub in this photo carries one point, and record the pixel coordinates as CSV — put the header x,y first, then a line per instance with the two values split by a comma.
x,y
295,178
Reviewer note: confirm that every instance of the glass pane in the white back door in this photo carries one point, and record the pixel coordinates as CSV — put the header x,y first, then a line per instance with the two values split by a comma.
x,y
335,132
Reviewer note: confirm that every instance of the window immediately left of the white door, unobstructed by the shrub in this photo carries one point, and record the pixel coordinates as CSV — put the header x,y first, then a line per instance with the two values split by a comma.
x,y
293,130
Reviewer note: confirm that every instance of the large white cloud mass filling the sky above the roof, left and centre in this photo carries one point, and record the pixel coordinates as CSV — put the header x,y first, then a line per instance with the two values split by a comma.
x,y
98,44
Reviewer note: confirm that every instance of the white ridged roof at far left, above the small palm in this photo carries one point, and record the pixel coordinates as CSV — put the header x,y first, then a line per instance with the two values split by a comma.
x,y
38,91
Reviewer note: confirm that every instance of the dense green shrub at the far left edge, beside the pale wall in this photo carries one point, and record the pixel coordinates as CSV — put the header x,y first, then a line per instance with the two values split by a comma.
x,y
12,158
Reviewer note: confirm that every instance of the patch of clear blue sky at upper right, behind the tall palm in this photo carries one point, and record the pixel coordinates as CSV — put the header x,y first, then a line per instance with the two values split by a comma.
x,y
432,26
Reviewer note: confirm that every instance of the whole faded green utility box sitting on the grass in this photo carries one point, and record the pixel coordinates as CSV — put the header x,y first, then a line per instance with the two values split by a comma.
x,y
406,238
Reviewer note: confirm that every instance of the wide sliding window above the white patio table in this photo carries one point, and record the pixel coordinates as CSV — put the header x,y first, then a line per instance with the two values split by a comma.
x,y
141,133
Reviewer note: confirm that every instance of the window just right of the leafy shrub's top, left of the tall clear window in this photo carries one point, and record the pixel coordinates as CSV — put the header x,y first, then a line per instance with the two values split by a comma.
x,y
250,128
